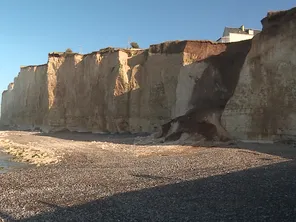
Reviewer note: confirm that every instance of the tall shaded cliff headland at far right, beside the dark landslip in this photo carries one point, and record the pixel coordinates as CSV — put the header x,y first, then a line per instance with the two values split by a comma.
x,y
263,105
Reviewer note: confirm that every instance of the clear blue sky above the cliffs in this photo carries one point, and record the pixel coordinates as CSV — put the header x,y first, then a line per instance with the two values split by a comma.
x,y
32,28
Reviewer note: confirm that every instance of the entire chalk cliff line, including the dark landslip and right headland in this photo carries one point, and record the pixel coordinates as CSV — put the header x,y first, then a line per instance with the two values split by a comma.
x,y
174,88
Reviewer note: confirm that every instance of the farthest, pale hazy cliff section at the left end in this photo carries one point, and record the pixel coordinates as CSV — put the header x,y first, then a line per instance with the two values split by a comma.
x,y
25,102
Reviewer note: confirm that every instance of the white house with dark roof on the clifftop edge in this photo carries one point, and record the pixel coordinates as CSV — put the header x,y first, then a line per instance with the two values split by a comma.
x,y
237,34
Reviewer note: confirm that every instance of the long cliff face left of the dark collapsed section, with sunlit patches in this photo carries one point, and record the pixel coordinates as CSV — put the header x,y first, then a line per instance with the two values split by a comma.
x,y
106,91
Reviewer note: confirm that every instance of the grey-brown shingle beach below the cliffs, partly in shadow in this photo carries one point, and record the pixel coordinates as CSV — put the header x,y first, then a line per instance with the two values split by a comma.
x,y
108,178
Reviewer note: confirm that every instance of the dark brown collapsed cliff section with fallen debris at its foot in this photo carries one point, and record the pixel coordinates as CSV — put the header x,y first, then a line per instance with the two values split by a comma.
x,y
203,89
